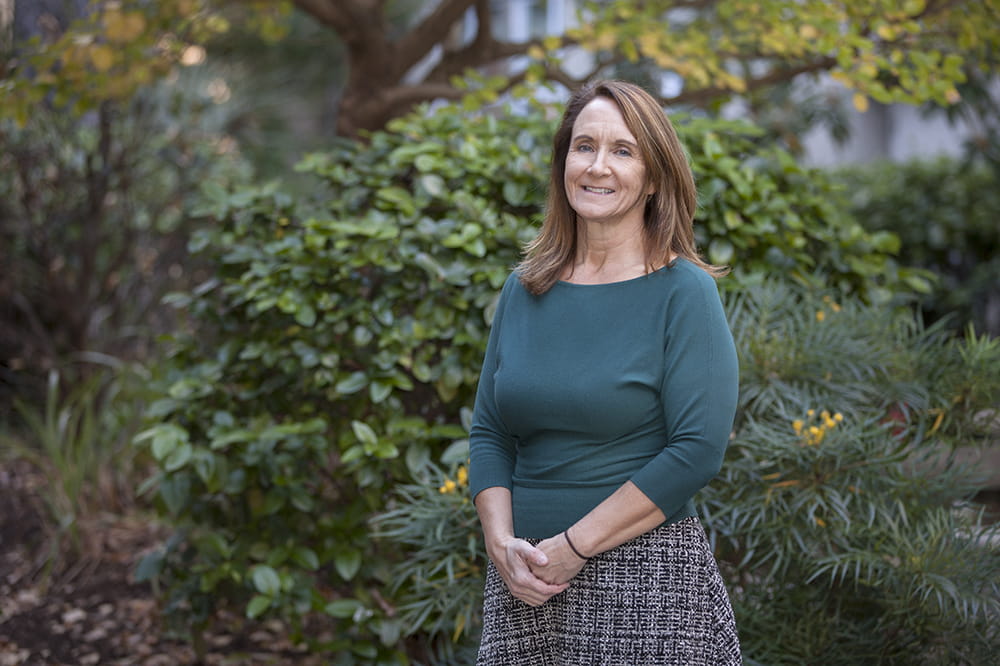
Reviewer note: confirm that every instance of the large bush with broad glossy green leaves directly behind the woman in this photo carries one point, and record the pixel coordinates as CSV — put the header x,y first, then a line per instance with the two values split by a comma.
x,y
339,341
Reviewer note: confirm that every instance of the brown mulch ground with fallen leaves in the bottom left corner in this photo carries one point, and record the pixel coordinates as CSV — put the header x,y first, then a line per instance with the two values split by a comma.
x,y
90,610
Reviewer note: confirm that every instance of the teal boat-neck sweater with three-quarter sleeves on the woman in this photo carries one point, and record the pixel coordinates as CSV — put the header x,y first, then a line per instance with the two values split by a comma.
x,y
588,386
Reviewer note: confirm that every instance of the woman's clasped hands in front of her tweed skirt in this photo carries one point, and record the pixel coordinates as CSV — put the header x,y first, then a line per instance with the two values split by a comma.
x,y
535,574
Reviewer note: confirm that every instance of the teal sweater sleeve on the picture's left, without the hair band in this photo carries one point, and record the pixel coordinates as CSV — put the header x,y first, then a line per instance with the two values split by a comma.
x,y
492,449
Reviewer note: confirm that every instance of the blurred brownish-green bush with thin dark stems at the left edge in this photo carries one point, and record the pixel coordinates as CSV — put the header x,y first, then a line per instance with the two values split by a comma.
x,y
93,227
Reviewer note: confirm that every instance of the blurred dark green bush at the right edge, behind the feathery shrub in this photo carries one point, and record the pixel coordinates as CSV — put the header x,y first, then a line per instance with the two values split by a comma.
x,y
945,214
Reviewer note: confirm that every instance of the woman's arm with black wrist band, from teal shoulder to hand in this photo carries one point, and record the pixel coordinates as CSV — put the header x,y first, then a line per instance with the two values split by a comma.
x,y
698,393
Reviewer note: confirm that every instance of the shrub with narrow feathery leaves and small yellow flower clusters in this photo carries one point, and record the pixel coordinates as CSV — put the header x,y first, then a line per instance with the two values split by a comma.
x,y
841,521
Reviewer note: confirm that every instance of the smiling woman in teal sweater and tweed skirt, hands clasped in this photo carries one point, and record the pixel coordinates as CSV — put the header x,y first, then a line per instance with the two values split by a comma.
x,y
606,400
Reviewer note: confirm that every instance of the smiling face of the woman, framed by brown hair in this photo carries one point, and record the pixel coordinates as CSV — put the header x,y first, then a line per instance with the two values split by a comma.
x,y
605,176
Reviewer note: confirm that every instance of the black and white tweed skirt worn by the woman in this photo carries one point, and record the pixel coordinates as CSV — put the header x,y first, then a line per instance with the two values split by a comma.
x,y
658,599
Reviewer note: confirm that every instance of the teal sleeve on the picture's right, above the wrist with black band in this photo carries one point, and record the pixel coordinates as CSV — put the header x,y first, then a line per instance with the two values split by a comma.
x,y
698,394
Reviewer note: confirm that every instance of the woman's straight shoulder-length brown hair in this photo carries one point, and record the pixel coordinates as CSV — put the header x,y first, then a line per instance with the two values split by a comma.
x,y
669,215
